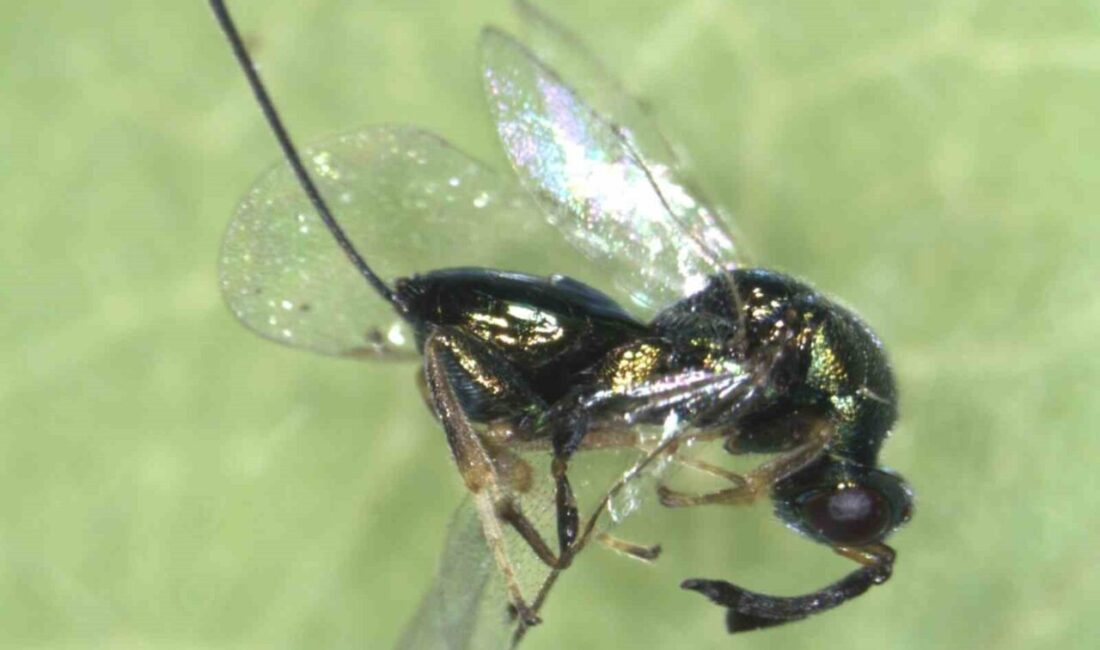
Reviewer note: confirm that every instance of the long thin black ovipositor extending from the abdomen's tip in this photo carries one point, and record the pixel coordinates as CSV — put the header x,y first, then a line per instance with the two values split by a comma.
x,y
292,155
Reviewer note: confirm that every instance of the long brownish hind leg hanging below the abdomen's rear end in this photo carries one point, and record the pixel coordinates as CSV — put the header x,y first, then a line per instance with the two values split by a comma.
x,y
446,354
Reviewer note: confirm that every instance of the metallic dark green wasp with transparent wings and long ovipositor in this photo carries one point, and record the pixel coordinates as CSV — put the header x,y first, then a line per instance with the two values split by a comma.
x,y
518,357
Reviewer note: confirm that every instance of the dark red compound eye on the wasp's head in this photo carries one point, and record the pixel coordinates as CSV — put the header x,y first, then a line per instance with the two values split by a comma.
x,y
850,515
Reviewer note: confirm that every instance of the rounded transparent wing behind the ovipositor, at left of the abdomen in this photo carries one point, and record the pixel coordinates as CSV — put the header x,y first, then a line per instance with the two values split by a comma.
x,y
411,204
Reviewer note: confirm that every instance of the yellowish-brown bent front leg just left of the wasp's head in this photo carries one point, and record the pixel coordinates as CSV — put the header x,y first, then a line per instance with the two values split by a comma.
x,y
750,487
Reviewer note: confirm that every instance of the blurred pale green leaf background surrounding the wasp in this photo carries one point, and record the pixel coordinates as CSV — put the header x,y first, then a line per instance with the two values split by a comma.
x,y
169,480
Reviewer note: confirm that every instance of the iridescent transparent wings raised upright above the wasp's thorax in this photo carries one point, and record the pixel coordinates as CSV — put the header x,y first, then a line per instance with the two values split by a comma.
x,y
600,170
